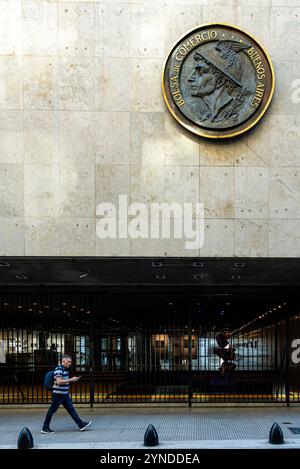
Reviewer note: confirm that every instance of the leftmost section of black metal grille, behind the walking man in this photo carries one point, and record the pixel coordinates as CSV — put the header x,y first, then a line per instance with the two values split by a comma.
x,y
35,331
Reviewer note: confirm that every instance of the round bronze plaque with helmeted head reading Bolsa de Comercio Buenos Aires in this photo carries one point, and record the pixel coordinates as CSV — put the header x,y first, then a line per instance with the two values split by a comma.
x,y
218,81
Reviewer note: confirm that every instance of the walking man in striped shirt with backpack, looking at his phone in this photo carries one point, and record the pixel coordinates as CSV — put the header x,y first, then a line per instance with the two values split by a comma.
x,y
60,395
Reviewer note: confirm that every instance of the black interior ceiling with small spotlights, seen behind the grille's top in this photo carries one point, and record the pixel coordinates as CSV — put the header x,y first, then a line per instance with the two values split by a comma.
x,y
143,308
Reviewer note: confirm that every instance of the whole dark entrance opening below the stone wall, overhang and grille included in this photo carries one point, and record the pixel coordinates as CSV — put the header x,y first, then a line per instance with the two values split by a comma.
x,y
150,337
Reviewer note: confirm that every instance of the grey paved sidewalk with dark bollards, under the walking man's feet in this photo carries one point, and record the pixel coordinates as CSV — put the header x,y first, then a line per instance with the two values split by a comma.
x,y
178,427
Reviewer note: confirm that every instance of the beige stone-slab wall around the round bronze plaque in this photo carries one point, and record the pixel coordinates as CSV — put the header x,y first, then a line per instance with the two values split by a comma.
x,y
83,120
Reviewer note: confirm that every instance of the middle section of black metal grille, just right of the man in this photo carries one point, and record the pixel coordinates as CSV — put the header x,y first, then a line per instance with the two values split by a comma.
x,y
144,354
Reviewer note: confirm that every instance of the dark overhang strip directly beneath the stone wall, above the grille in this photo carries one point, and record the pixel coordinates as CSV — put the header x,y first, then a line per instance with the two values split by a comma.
x,y
132,271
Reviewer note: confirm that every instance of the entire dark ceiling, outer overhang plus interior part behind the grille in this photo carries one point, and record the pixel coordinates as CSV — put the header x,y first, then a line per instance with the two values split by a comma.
x,y
217,291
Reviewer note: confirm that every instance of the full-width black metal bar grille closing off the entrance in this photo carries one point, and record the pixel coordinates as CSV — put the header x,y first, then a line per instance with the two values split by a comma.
x,y
150,347
